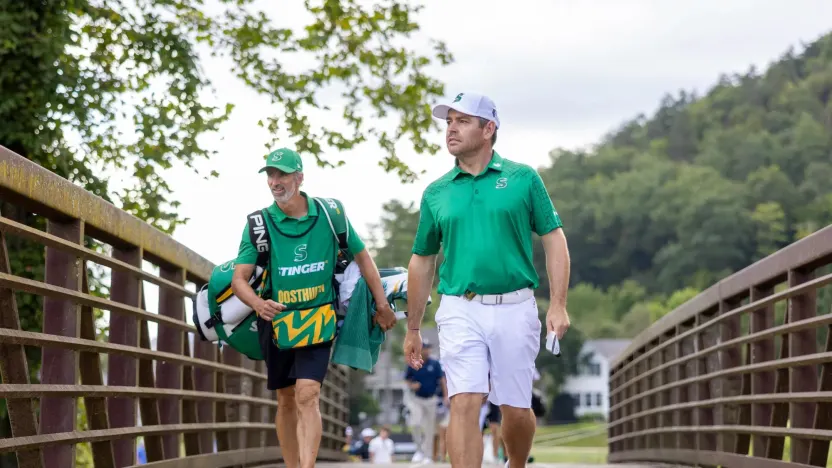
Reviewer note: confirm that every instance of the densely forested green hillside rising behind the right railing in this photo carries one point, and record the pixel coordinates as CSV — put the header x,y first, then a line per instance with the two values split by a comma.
x,y
667,205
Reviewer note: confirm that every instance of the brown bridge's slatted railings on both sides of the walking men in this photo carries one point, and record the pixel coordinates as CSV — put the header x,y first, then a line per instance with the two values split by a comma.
x,y
738,376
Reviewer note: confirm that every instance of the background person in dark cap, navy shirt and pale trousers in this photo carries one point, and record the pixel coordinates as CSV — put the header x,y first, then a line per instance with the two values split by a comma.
x,y
424,384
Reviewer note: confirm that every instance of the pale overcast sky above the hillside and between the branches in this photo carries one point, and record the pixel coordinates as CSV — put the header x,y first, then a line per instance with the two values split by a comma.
x,y
562,73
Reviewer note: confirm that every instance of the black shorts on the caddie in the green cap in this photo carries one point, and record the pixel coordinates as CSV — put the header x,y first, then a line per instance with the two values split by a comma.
x,y
286,366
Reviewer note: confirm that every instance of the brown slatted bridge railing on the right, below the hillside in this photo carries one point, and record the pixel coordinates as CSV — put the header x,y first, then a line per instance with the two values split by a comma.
x,y
741,375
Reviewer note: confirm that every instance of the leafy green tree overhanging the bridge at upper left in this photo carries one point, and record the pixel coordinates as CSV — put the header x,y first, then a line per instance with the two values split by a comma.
x,y
89,88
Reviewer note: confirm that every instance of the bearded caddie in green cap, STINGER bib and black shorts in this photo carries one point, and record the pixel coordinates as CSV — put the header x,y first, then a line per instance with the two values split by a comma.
x,y
303,254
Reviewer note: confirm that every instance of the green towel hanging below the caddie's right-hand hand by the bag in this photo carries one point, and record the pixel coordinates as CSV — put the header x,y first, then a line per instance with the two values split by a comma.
x,y
359,339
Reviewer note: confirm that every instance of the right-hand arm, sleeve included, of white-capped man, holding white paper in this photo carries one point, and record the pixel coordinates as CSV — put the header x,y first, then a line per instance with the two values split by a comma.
x,y
547,223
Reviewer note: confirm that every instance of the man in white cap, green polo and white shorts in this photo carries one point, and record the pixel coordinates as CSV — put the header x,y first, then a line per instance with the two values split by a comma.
x,y
483,213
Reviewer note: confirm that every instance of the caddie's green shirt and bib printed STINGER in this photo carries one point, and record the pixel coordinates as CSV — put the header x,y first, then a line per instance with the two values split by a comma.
x,y
303,252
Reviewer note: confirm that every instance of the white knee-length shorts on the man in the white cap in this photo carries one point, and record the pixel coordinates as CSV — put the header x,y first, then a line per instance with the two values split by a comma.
x,y
477,338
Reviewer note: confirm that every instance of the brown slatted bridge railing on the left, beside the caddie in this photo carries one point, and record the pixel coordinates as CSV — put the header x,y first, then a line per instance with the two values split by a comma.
x,y
189,401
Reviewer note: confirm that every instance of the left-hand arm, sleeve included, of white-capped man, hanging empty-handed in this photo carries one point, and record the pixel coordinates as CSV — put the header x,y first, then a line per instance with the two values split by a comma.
x,y
420,273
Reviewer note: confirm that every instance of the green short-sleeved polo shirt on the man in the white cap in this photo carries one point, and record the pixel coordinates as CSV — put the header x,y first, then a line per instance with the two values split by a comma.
x,y
485,224
